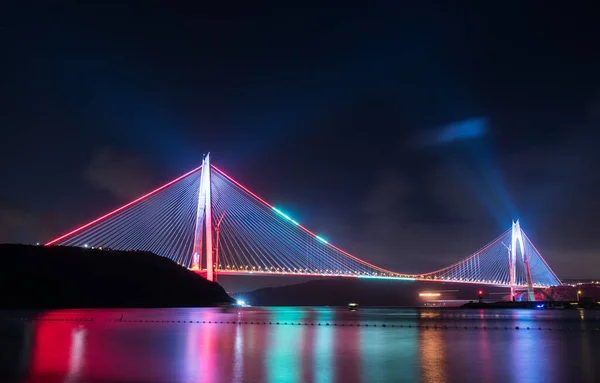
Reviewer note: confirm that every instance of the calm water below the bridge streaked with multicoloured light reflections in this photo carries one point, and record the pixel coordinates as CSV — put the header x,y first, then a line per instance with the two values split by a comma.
x,y
157,346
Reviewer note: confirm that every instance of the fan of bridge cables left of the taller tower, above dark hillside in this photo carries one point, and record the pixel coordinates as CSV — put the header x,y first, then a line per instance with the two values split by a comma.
x,y
162,222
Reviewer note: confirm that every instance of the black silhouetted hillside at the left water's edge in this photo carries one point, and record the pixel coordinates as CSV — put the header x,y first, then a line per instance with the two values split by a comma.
x,y
70,277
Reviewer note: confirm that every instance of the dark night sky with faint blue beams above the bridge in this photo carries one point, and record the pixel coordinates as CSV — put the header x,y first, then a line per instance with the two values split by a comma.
x,y
409,136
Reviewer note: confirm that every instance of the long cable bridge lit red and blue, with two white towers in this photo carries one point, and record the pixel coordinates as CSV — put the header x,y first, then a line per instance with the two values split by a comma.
x,y
208,222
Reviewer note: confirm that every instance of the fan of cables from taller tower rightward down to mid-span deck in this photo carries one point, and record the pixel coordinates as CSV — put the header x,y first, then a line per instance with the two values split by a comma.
x,y
255,237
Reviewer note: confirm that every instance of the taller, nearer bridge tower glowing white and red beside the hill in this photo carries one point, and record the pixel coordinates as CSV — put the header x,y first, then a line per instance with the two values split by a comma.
x,y
204,223
